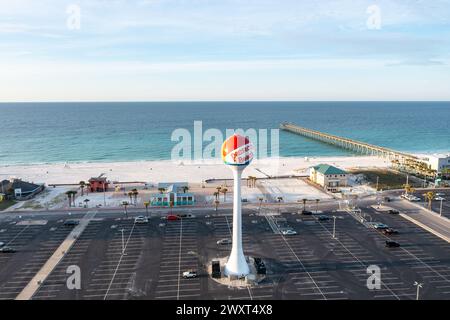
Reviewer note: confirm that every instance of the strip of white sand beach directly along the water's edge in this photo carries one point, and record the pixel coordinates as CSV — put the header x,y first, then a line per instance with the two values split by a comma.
x,y
168,171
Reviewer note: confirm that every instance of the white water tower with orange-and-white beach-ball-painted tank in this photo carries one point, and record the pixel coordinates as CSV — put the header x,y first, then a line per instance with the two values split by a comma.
x,y
237,153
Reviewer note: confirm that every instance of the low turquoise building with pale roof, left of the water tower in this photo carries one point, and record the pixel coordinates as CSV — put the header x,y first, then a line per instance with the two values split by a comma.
x,y
174,194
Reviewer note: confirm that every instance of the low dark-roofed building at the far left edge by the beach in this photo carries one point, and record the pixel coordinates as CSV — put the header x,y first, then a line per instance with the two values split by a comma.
x,y
19,190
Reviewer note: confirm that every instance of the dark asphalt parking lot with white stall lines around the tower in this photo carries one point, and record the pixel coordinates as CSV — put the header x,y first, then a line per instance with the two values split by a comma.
x,y
120,259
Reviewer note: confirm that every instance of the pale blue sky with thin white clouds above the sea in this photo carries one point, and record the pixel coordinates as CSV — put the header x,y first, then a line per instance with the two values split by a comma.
x,y
224,50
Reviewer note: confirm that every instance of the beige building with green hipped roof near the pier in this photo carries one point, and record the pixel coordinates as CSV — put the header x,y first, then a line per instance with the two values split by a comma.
x,y
329,177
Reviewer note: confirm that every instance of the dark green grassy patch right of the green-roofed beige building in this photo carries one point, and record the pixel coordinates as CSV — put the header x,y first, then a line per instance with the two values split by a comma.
x,y
387,179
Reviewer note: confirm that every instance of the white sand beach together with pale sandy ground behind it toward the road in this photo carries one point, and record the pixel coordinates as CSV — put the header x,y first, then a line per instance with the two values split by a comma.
x,y
145,175
